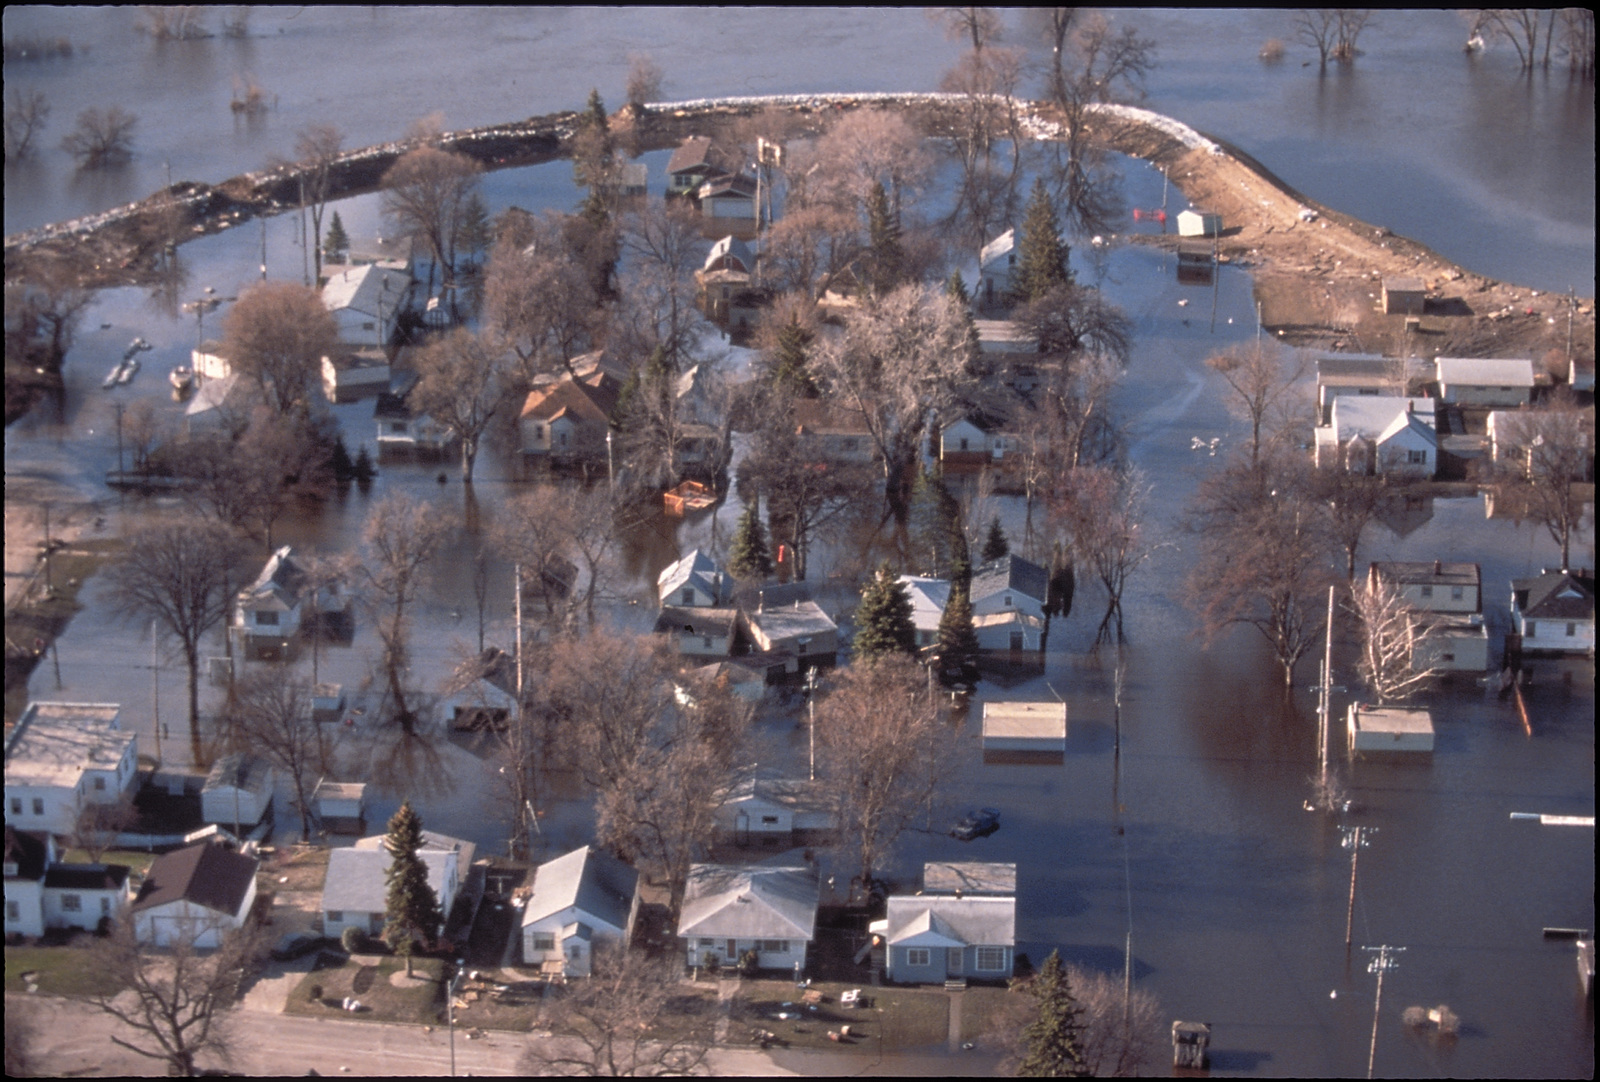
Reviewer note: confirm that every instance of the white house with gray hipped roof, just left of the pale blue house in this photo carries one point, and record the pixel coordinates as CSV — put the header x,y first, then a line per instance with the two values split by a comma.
x,y
732,910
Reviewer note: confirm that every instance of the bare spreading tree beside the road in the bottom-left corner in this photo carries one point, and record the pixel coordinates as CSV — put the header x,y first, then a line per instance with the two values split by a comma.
x,y
175,1001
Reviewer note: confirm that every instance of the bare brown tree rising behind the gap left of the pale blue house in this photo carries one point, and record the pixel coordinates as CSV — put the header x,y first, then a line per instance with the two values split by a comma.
x,y
884,747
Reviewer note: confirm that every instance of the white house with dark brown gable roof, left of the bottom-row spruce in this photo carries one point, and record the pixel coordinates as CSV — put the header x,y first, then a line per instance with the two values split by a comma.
x,y
196,894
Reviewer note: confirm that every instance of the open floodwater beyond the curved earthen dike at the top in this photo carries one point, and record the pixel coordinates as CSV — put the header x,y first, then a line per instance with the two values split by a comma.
x,y
1458,151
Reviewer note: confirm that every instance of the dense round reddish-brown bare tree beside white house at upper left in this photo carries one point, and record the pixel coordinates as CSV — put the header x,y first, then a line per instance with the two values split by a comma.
x,y
278,335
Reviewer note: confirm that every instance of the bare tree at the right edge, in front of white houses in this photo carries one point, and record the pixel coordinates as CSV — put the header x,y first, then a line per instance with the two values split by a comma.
x,y
1550,455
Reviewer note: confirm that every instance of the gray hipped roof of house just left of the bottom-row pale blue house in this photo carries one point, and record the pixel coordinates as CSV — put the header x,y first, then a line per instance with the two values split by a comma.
x,y
750,904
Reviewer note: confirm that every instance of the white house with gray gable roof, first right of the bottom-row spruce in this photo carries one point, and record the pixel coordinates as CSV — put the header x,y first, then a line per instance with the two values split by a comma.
x,y
578,902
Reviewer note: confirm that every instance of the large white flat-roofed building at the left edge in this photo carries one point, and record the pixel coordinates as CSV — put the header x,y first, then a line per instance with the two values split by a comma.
x,y
63,758
